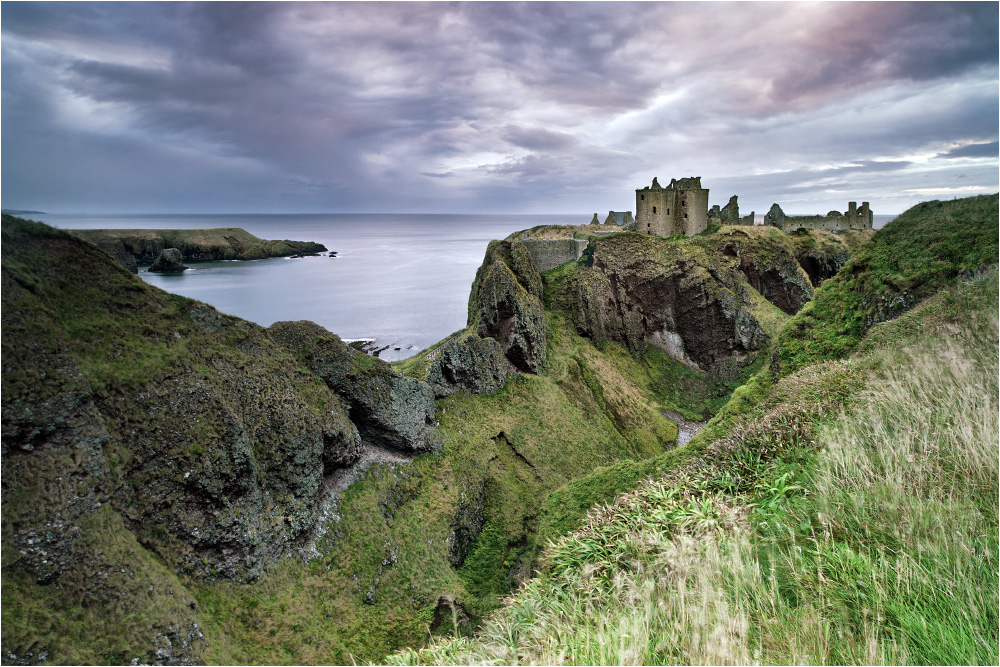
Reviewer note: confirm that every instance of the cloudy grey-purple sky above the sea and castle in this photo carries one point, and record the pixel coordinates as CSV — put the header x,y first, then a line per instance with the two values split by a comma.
x,y
493,107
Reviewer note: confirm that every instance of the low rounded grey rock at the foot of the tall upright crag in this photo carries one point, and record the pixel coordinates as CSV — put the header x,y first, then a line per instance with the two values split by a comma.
x,y
474,364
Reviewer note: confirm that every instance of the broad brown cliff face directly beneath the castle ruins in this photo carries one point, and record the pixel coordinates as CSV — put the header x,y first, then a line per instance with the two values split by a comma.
x,y
690,298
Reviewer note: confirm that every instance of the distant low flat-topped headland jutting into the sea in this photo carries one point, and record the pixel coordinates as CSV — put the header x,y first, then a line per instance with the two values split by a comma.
x,y
143,246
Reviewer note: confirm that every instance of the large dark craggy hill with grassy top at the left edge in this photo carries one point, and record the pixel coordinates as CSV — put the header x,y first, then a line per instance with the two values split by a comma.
x,y
184,432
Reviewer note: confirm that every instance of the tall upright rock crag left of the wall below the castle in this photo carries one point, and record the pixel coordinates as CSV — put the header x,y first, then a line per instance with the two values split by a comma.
x,y
506,305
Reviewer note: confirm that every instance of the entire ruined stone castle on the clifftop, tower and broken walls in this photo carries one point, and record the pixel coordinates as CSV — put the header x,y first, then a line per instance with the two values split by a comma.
x,y
681,208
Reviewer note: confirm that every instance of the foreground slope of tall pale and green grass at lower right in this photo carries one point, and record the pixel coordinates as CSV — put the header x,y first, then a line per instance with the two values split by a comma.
x,y
844,513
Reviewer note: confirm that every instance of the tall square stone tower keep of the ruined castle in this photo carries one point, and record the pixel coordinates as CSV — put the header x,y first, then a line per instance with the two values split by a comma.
x,y
680,208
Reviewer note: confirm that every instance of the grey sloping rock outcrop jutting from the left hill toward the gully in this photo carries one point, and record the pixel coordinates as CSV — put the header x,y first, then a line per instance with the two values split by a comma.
x,y
389,410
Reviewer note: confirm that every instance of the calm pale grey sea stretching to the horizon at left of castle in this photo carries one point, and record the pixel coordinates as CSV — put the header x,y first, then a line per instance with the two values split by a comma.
x,y
402,280
